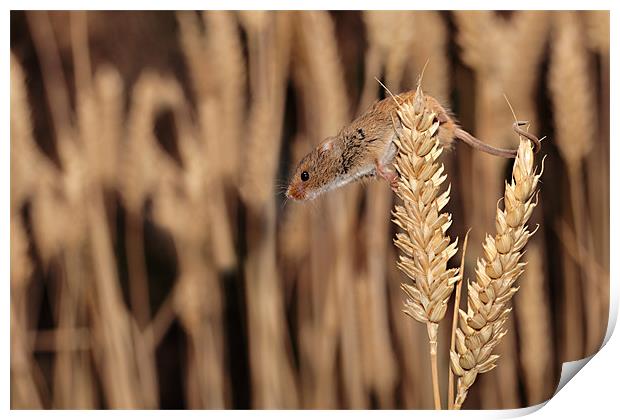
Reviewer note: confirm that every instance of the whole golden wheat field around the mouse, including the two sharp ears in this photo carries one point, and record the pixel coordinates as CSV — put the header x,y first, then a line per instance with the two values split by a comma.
x,y
156,262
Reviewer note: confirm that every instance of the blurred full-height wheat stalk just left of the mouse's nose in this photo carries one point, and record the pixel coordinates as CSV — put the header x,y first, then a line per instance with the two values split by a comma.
x,y
268,55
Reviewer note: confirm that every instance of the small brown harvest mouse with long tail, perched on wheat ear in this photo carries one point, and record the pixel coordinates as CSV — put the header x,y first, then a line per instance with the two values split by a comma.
x,y
365,148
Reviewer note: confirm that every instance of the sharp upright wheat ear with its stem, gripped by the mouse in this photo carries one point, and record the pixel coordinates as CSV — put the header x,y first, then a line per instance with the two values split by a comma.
x,y
425,247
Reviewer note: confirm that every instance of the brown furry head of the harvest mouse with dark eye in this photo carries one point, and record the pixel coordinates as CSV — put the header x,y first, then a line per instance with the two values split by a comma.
x,y
316,172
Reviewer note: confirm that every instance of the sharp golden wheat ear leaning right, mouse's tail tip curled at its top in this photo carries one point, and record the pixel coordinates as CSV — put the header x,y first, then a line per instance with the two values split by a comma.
x,y
488,301
